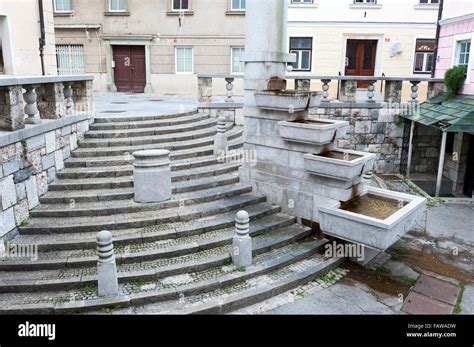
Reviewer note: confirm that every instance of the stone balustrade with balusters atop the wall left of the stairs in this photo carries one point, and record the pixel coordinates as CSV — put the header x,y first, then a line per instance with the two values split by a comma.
x,y
27,100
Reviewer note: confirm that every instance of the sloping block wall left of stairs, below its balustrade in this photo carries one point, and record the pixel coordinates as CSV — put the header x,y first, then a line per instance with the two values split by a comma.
x,y
29,160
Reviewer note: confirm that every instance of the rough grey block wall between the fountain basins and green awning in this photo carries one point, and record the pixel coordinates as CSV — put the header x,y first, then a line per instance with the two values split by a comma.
x,y
373,128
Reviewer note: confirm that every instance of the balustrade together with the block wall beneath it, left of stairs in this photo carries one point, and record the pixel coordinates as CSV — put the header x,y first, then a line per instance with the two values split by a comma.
x,y
58,111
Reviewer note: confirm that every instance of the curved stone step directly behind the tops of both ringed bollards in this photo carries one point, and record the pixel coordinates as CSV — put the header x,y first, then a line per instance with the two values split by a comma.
x,y
166,231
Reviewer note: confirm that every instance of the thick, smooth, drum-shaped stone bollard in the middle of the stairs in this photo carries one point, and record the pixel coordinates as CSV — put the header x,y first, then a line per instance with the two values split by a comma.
x,y
152,176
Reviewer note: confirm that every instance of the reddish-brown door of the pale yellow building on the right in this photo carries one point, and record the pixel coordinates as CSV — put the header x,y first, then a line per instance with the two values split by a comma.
x,y
360,59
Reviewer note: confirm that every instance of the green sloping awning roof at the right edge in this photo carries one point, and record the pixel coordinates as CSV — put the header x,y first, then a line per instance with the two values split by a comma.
x,y
453,115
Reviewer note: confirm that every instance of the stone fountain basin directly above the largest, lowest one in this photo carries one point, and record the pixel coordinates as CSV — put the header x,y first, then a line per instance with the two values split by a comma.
x,y
340,164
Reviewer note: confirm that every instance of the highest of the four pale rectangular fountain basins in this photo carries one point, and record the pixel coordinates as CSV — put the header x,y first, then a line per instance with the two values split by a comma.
x,y
285,100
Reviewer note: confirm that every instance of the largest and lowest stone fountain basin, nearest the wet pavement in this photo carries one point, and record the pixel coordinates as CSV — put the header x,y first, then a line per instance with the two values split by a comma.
x,y
375,233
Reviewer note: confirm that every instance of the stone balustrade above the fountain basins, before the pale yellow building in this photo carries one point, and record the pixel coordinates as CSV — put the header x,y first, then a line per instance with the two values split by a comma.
x,y
391,88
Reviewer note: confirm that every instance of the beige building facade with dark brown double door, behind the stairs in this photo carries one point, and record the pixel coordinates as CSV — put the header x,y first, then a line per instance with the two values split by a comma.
x,y
152,46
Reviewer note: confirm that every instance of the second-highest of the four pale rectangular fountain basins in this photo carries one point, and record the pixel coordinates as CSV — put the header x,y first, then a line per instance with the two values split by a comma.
x,y
313,131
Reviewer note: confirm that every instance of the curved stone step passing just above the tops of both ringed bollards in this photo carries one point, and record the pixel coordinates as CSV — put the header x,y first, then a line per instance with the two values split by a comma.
x,y
138,219
